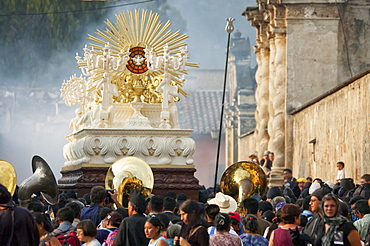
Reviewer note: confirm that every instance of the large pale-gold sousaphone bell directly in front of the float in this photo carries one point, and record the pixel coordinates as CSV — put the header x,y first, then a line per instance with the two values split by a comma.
x,y
127,174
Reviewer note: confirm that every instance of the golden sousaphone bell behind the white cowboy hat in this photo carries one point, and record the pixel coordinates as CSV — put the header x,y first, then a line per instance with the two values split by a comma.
x,y
242,180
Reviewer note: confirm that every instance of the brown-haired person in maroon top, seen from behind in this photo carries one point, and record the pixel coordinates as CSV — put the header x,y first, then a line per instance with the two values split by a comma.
x,y
290,217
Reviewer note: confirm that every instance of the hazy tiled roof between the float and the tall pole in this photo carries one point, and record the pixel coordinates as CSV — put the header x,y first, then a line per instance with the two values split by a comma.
x,y
200,111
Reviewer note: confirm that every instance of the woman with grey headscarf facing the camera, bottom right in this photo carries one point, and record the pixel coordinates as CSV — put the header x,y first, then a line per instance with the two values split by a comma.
x,y
335,229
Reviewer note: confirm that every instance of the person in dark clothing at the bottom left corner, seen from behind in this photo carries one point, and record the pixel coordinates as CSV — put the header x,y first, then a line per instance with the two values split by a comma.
x,y
17,225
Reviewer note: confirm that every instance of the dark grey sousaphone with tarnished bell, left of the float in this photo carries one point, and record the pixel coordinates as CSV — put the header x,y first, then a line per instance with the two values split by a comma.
x,y
42,180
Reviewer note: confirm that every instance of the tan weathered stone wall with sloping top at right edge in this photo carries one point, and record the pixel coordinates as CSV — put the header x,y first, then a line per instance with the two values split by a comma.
x,y
334,128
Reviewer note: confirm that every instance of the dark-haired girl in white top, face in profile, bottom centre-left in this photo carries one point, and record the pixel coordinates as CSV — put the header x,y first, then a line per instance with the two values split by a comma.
x,y
153,228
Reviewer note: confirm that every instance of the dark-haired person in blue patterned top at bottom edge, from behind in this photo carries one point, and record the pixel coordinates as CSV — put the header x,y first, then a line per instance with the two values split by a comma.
x,y
251,237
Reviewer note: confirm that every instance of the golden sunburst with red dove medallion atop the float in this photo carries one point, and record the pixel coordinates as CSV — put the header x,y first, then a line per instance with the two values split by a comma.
x,y
135,32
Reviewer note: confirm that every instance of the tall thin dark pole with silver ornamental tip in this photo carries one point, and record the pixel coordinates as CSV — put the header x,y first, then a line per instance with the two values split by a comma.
x,y
229,29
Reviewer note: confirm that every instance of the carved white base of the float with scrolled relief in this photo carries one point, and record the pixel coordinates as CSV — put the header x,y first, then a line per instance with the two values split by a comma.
x,y
105,146
